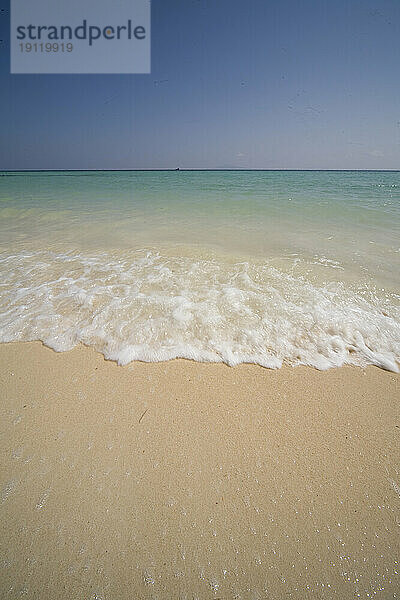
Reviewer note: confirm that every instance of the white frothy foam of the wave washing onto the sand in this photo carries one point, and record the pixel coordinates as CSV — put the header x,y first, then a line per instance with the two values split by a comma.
x,y
149,307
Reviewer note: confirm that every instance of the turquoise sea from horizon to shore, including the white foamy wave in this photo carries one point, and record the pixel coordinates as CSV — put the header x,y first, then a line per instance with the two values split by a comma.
x,y
266,267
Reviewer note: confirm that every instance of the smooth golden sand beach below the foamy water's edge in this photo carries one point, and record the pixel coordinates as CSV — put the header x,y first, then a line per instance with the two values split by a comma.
x,y
187,480
